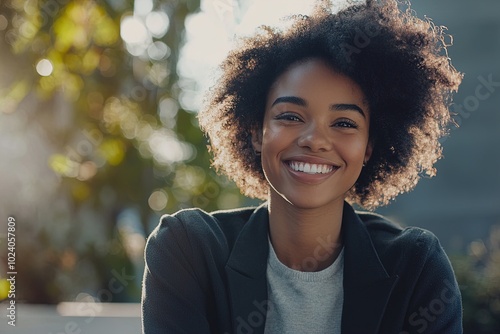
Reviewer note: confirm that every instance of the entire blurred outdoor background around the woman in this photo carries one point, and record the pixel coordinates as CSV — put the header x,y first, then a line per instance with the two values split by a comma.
x,y
99,138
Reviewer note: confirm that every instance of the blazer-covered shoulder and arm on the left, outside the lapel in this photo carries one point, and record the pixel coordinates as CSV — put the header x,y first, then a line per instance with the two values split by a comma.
x,y
184,278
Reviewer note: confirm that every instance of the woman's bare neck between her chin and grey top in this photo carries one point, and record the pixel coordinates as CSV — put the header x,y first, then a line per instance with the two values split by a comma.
x,y
305,239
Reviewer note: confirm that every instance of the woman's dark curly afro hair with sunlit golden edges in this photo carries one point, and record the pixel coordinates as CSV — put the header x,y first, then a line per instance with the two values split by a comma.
x,y
399,61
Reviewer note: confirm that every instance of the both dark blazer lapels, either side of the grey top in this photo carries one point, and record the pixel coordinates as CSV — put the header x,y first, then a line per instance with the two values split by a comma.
x,y
367,286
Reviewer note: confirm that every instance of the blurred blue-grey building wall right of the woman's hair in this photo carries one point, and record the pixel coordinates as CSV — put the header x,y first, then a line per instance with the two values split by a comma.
x,y
462,202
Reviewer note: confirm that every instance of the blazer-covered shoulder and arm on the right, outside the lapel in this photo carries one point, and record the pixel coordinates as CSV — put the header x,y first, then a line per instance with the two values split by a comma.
x,y
427,291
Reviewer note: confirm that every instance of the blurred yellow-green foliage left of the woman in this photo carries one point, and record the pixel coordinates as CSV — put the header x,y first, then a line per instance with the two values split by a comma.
x,y
118,139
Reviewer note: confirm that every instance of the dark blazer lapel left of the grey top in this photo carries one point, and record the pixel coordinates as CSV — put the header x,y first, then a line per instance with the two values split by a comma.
x,y
246,274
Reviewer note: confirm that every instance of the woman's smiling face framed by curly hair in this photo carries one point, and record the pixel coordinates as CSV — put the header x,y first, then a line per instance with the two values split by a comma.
x,y
314,137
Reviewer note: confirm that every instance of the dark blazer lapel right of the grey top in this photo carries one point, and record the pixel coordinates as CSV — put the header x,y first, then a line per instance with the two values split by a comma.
x,y
367,286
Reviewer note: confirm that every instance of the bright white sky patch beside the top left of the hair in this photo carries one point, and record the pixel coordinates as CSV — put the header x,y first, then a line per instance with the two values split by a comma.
x,y
212,32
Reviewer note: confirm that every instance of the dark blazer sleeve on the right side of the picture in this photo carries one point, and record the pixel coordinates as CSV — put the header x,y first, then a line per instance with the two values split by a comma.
x,y
436,304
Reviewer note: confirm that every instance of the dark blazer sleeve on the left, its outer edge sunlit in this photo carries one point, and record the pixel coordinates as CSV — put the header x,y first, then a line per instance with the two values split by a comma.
x,y
173,299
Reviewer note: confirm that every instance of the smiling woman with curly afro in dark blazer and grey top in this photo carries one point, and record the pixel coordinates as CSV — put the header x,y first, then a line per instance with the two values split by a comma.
x,y
338,109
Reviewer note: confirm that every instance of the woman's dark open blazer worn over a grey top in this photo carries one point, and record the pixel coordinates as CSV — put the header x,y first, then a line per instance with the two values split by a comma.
x,y
206,273
